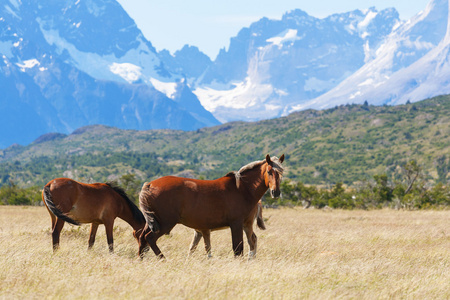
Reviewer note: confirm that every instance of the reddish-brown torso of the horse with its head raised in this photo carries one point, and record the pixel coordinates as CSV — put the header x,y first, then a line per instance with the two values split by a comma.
x,y
200,204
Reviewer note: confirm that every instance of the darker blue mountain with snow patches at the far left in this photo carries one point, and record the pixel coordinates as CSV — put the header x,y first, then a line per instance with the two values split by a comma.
x,y
71,63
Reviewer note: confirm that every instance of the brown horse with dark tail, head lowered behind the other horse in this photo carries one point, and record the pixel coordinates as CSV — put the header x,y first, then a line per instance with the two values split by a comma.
x,y
99,203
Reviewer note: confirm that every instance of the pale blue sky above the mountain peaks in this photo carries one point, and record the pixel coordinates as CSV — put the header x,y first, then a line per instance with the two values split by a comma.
x,y
209,24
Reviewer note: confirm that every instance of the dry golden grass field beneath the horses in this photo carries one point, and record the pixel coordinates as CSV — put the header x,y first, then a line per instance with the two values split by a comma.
x,y
303,254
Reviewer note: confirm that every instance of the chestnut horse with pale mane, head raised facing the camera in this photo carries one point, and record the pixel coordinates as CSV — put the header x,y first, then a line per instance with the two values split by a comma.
x,y
229,201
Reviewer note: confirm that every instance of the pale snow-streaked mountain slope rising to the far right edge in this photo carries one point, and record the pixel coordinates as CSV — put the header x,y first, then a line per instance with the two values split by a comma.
x,y
411,65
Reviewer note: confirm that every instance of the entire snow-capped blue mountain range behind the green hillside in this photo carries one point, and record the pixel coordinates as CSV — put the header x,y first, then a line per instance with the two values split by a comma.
x,y
70,63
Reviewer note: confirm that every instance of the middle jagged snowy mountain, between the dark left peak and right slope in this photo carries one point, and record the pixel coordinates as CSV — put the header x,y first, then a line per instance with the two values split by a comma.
x,y
276,64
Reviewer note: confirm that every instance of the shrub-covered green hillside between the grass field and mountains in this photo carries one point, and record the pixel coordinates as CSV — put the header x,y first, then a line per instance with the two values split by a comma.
x,y
347,143
